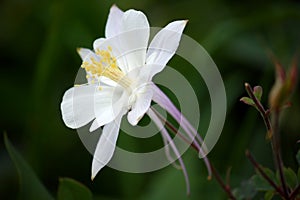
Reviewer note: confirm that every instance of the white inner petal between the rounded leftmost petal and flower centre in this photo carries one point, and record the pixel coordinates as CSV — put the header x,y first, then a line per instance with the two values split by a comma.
x,y
108,106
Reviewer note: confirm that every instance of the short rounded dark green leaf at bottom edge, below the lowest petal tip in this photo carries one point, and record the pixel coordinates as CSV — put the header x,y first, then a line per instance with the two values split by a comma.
x,y
70,189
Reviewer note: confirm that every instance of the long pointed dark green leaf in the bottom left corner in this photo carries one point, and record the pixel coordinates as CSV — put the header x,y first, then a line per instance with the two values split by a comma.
x,y
30,186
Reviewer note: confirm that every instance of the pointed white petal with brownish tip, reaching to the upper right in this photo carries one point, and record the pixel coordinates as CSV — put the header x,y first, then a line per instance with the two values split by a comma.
x,y
164,45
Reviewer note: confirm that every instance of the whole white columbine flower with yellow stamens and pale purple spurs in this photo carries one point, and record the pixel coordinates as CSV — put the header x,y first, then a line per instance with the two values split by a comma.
x,y
119,73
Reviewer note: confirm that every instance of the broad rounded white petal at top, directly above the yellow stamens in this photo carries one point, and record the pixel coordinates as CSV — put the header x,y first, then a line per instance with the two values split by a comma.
x,y
134,38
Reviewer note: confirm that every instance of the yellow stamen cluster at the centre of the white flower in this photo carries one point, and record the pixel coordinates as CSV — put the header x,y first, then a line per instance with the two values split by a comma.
x,y
106,66
